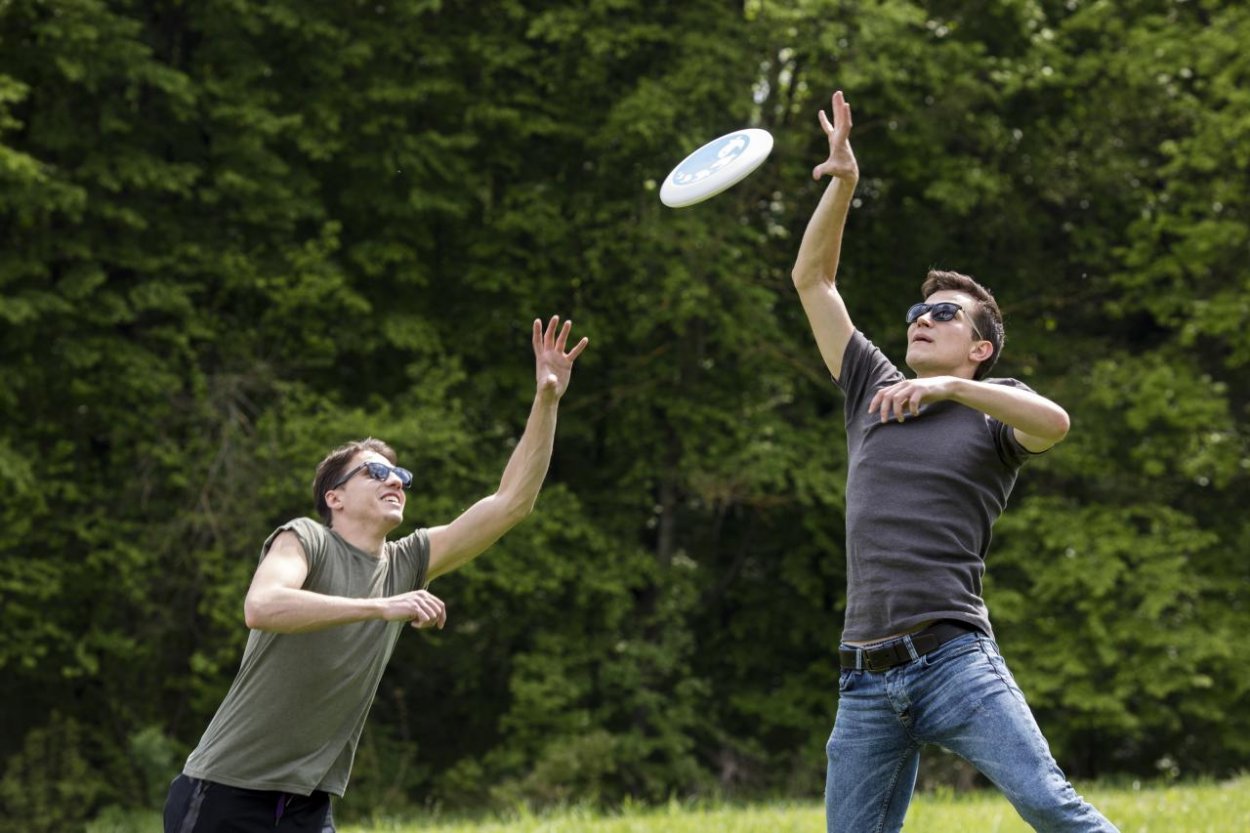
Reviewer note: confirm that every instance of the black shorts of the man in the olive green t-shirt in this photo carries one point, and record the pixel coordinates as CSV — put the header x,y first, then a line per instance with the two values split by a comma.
x,y
198,806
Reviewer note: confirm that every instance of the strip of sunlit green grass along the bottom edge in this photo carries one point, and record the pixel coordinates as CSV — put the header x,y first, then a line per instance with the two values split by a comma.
x,y
1191,809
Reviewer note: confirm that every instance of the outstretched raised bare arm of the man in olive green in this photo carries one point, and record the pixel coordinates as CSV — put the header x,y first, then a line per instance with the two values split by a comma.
x,y
487,521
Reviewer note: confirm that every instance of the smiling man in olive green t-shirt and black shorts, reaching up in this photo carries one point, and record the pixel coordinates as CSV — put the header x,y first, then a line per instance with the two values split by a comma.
x,y
327,606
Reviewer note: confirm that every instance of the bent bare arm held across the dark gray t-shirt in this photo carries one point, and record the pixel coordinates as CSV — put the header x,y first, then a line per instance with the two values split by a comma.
x,y
1038,422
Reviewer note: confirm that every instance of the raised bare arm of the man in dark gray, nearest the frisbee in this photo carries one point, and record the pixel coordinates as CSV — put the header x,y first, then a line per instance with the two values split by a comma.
x,y
816,268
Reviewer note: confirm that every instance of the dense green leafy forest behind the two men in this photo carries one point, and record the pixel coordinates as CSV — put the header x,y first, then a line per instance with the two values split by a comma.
x,y
236,235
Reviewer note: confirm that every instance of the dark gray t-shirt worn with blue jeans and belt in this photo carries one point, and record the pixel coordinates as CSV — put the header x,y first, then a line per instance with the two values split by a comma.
x,y
922,497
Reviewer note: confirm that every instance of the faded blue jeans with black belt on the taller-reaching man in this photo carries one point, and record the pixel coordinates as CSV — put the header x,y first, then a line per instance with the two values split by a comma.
x,y
961,697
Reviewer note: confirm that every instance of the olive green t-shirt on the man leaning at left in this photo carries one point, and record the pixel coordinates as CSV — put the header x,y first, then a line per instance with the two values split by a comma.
x,y
294,715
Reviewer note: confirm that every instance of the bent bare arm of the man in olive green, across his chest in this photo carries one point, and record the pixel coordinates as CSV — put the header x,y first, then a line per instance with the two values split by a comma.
x,y
277,600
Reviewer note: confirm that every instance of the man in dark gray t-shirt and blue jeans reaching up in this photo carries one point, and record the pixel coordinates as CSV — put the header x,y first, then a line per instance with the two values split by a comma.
x,y
932,463
